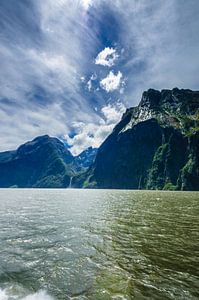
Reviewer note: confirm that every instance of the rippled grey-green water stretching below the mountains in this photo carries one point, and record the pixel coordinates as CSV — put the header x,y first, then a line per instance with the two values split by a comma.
x,y
98,244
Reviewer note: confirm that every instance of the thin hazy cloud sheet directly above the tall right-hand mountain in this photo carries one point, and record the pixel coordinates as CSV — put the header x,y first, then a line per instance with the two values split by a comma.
x,y
159,38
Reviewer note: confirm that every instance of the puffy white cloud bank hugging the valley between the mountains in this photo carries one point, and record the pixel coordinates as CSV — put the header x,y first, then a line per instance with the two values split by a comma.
x,y
93,133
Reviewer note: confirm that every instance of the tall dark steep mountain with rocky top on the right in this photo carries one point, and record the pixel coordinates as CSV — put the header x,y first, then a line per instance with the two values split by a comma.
x,y
154,146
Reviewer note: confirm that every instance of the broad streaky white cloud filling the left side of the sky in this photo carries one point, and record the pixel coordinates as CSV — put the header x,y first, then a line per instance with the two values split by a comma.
x,y
41,71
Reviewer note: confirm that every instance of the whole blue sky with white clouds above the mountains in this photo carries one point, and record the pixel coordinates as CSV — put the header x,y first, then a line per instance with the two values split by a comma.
x,y
70,68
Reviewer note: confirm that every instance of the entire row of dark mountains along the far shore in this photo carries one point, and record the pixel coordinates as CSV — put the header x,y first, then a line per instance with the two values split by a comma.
x,y
154,146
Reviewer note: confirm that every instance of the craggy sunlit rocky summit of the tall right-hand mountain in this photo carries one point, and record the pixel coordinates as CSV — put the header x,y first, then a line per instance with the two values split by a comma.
x,y
169,107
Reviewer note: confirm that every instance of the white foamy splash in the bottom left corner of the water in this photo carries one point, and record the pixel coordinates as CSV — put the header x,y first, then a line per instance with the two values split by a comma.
x,y
40,295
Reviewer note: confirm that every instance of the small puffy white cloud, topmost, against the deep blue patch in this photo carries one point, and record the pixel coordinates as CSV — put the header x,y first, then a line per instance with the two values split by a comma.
x,y
107,57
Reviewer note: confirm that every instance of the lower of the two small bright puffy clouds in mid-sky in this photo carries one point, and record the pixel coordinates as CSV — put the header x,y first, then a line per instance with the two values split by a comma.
x,y
112,82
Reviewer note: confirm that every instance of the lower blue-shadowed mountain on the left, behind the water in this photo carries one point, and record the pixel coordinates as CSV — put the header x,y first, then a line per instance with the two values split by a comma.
x,y
44,162
